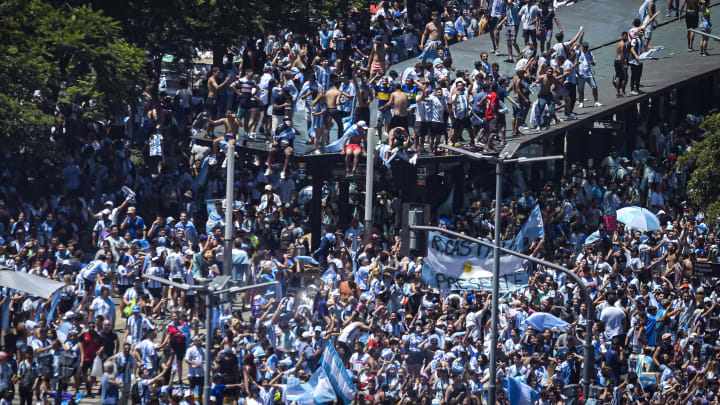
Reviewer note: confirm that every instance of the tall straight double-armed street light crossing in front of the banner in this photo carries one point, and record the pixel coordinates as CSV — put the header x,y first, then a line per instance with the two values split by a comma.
x,y
499,166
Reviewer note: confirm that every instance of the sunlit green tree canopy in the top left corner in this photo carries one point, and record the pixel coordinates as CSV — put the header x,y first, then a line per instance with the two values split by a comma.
x,y
57,57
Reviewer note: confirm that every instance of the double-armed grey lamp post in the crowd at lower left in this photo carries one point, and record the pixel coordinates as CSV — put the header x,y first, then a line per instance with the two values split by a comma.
x,y
208,291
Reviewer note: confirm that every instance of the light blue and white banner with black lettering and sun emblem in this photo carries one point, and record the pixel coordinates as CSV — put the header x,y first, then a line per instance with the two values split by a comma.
x,y
460,265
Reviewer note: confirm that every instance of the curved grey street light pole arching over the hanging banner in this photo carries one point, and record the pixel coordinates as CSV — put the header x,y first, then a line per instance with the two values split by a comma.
x,y
590,306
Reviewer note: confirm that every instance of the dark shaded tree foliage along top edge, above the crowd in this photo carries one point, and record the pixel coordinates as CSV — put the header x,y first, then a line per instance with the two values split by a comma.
x,y
179,27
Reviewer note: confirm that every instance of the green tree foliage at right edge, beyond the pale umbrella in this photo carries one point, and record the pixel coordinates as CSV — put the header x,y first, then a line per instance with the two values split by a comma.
x,y
704,161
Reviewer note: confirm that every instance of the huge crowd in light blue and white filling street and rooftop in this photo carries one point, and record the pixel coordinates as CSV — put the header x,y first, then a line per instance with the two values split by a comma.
x,y
115,334
